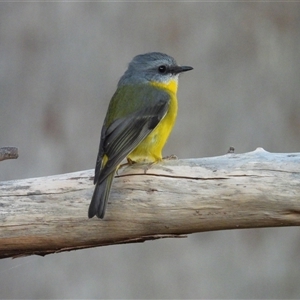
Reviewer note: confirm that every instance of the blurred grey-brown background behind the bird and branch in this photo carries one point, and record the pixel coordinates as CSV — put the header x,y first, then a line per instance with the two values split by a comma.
x,y
59,66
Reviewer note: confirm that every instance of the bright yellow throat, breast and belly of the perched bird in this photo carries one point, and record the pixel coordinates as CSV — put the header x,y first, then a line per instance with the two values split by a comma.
x,y
150,149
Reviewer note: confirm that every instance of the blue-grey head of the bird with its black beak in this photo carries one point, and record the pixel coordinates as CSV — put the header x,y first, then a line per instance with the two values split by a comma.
x,y
153,66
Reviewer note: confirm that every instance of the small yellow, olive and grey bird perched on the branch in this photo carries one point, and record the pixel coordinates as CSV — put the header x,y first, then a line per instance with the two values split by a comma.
x,y
139,120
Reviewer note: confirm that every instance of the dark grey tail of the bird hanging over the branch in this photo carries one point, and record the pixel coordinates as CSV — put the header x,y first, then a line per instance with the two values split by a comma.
x,y
100,197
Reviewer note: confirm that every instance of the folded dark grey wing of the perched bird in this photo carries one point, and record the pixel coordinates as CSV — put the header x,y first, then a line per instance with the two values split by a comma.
x,y
124,134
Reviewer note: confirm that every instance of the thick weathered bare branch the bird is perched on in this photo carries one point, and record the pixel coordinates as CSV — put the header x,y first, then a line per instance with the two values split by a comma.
x,y
174,198
